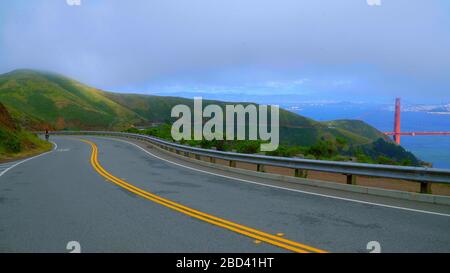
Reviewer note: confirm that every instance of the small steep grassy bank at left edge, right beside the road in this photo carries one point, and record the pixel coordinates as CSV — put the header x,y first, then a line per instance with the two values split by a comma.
x,y
15,142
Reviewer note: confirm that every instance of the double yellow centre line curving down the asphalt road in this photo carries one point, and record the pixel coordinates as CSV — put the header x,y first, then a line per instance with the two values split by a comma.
x,y
247,231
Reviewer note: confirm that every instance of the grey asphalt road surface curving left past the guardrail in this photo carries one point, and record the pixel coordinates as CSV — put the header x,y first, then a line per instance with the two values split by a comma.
x,y
59,197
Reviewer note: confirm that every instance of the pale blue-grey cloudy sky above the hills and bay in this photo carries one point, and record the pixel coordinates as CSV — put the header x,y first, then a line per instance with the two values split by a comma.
x,y
293,49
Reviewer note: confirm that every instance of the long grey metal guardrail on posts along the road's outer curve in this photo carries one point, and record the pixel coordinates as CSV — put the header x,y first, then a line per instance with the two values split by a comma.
x,y
424,175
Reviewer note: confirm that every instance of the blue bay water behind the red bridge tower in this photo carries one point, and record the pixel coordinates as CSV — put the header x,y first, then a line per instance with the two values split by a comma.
x,y
433,149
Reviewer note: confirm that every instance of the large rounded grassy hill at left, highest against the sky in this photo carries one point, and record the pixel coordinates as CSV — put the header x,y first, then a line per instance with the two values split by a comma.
x,y
39,99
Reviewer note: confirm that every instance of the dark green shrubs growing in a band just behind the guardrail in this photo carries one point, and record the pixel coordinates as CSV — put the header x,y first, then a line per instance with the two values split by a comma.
x,y
338,149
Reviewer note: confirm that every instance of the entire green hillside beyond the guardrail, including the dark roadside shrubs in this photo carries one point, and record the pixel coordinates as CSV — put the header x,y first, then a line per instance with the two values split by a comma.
x,y
40,100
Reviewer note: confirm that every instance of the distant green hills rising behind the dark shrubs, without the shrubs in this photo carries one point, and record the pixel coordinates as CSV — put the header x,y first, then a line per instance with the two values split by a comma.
x,y
39,100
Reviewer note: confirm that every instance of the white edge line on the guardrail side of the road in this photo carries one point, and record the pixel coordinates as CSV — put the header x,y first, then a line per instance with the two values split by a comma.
x,y
283,188
